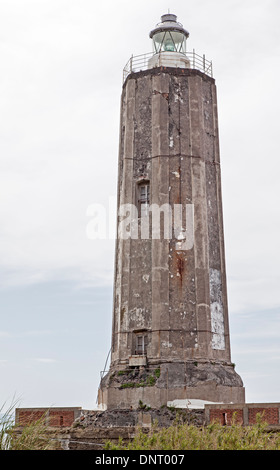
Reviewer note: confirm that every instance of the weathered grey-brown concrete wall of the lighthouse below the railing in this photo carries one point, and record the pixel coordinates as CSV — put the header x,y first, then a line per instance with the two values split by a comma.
x,y
169,138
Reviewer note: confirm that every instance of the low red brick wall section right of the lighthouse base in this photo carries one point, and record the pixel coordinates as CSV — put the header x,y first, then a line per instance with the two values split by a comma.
x,y
243,413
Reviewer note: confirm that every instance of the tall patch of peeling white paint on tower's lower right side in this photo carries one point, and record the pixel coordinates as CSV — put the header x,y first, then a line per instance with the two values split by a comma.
x,y
217,311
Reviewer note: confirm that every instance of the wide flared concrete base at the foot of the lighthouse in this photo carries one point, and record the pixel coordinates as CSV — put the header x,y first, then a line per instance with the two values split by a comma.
x,y
159,385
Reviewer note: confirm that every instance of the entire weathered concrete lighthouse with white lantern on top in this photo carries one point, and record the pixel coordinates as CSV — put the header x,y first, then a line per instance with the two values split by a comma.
x,y
170,333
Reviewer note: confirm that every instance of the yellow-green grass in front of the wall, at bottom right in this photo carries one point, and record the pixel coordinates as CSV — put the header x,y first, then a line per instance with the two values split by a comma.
x,y
211,437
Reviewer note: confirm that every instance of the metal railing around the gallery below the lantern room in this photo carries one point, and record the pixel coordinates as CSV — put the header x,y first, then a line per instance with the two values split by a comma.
x,y
141,62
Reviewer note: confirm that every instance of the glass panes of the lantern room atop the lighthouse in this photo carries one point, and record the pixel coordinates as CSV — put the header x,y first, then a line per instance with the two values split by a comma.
x,y
169,41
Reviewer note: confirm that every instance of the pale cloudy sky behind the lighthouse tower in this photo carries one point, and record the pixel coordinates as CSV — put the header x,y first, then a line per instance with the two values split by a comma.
x,y
60,87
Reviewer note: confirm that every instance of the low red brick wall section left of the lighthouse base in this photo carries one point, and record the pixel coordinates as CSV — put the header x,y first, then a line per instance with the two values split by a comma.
x,y
62,417
